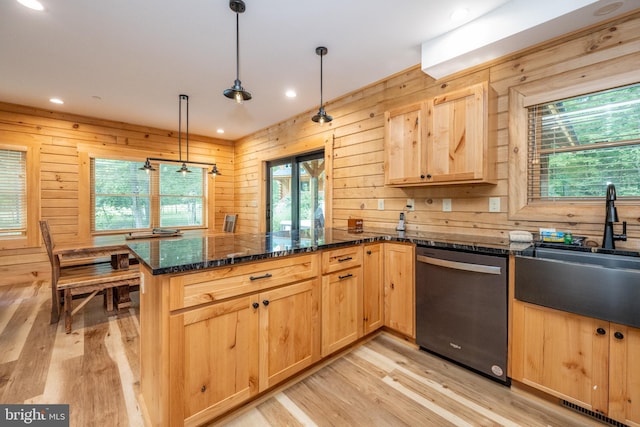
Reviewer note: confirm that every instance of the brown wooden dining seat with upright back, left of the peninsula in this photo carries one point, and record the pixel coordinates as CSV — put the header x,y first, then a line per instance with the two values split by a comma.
x,y
86,280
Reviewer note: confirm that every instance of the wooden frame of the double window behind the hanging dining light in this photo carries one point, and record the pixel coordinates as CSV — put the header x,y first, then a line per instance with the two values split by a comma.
x,y
86,226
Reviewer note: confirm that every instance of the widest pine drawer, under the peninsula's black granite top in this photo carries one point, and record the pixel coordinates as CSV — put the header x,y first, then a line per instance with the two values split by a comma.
x,y
233,280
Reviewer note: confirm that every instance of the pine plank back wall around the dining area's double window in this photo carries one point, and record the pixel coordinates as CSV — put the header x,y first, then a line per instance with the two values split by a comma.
x,y
61,136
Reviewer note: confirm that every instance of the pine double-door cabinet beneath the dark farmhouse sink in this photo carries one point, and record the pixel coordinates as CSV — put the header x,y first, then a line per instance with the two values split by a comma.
x,y
583,360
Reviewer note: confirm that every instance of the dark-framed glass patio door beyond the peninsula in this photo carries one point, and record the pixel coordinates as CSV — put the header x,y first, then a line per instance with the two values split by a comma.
x,y
295,189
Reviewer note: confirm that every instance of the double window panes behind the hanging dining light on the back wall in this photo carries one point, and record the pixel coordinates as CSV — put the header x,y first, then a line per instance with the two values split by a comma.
x,y
127,198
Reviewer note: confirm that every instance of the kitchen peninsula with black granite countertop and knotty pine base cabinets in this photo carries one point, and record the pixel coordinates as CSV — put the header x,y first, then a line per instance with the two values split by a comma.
x,y
227,316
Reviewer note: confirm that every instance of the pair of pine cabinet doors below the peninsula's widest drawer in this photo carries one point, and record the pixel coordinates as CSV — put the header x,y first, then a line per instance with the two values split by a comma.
x,y
235,349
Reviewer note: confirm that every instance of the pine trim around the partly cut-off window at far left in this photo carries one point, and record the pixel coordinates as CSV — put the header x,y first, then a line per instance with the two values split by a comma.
x,y
15,142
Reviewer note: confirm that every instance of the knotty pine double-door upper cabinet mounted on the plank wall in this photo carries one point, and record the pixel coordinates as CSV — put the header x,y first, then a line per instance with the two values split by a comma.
x,y
448,139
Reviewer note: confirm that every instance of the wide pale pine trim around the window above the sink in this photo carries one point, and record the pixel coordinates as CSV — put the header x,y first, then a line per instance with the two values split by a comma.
x,y
577,82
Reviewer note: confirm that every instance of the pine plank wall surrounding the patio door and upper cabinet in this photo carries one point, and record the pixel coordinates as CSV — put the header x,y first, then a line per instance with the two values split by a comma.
x,y
355,142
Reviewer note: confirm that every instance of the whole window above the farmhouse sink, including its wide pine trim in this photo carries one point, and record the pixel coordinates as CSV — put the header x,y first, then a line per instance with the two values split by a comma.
x,y
570,134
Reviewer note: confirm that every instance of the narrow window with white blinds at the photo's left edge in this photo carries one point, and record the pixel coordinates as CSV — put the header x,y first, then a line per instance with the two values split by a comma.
x,y
13,193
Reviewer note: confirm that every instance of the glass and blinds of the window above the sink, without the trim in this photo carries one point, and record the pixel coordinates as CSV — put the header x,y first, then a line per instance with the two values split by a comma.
x,y
578,145
